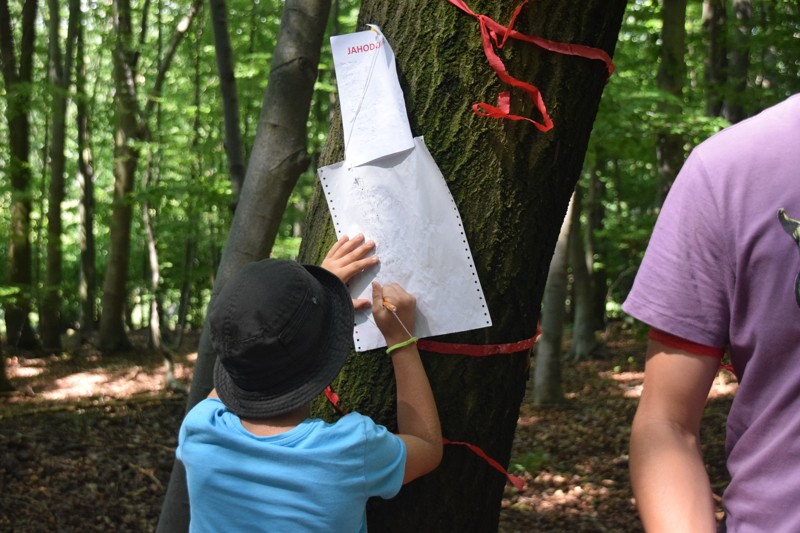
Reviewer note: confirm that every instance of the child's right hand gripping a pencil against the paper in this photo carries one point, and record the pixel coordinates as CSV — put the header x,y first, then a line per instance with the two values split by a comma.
x,y
405,306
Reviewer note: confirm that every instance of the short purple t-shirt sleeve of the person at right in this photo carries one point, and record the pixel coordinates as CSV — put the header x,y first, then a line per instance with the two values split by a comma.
x,y
684,281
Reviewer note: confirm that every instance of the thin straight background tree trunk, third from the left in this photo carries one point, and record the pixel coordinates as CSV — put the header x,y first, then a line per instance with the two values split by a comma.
x,y
88,281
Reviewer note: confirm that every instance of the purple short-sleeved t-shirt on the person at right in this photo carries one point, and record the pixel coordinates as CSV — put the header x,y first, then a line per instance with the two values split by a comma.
x,y
720,270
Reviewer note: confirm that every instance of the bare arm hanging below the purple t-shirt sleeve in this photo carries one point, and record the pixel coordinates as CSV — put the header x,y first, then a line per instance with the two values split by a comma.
x,y
669,479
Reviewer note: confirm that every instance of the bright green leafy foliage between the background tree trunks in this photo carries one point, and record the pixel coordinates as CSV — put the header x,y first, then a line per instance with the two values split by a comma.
x,y
189,194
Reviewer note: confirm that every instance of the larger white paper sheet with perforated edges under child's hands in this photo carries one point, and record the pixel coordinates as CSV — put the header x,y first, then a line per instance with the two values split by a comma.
x,y
402,202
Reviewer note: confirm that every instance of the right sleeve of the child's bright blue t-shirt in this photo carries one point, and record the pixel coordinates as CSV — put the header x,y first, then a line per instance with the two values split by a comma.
x,y
385,461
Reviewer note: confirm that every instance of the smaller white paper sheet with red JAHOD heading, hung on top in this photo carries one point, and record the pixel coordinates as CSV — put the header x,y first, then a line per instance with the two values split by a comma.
x,y
374,119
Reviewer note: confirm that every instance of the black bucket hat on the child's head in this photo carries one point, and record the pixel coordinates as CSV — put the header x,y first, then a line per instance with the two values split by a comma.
x,y
281,332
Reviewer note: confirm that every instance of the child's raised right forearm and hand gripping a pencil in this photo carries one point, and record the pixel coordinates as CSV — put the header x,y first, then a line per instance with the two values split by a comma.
x,y
417,417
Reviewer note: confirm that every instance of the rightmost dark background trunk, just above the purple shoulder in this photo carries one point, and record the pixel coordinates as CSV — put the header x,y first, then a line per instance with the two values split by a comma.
x,y
740,61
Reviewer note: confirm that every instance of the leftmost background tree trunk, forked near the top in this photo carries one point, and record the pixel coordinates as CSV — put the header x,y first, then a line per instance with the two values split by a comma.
x,y
17,81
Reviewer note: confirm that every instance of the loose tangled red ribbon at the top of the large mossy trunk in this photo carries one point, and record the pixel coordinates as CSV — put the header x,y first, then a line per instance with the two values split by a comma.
x,y
490,30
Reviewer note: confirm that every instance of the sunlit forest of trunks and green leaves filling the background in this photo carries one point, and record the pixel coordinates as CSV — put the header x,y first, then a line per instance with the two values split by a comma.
x,y
69,278
